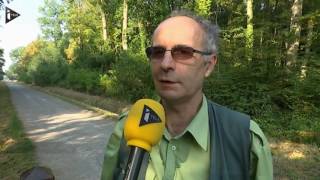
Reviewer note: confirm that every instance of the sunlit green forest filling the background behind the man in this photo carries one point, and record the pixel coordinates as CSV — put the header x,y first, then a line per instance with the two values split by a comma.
x,y
268,61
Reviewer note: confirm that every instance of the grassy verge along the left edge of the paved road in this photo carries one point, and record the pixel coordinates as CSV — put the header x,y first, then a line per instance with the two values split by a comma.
x,y
16,150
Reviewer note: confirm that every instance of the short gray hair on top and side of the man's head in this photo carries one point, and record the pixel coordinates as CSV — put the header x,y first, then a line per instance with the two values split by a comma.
x,y
211,31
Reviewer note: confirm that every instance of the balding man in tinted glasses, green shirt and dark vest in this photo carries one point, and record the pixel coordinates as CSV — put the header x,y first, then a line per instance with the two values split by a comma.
x,y
202,140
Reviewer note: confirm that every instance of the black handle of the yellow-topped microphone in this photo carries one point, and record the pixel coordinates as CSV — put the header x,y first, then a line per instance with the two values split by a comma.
x,y
134,163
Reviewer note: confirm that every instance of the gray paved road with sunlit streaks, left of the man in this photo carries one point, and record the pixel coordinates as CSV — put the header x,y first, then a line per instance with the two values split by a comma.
x,y
68,139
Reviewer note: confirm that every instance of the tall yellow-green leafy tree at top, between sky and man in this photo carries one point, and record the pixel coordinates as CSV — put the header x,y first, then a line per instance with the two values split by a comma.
x,y
83,26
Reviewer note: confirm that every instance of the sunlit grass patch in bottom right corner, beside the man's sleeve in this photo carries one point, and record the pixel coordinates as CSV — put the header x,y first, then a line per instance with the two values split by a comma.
x,y
293,160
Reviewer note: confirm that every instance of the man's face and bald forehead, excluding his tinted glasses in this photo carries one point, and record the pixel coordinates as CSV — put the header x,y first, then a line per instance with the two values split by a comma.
x,y
179,79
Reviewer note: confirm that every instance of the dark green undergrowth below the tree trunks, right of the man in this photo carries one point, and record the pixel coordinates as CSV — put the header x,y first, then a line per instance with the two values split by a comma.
x,y
282,102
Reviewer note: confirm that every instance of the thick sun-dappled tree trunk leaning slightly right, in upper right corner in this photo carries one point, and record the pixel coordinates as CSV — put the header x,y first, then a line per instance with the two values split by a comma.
x,y
295,30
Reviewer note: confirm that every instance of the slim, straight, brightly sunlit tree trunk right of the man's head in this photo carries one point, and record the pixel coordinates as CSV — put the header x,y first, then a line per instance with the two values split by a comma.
x,y
249,30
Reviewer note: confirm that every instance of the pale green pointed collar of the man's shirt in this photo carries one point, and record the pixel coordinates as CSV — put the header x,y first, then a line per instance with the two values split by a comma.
x,y
199,126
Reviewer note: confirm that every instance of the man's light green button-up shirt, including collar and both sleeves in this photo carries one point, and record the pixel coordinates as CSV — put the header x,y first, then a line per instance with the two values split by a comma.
x,y
187,156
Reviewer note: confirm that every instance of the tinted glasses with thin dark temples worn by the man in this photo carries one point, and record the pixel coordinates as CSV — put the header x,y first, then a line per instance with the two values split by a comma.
x,y
178,52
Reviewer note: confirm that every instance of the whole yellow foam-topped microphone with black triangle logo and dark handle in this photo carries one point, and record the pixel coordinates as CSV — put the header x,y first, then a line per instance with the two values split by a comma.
x,y
143,128
